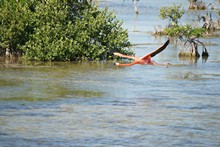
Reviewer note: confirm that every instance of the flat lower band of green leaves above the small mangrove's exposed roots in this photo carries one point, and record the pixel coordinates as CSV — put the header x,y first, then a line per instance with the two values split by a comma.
x,y
187,31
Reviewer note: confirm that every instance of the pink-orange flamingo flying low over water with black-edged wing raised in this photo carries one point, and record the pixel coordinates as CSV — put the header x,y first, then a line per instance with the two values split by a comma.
x,y
145,59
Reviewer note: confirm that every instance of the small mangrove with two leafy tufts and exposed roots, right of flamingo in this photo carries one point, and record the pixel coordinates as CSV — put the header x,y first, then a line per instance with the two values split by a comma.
x,y
185,33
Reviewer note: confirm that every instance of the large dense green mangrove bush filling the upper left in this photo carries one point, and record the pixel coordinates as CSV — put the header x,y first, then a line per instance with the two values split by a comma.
x,y
51,30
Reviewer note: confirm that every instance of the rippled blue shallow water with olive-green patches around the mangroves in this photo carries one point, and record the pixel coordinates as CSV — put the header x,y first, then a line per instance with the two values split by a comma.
x,y
98,104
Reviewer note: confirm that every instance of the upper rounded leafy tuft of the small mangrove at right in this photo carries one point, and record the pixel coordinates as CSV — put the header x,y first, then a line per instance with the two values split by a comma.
x,y
172,13
